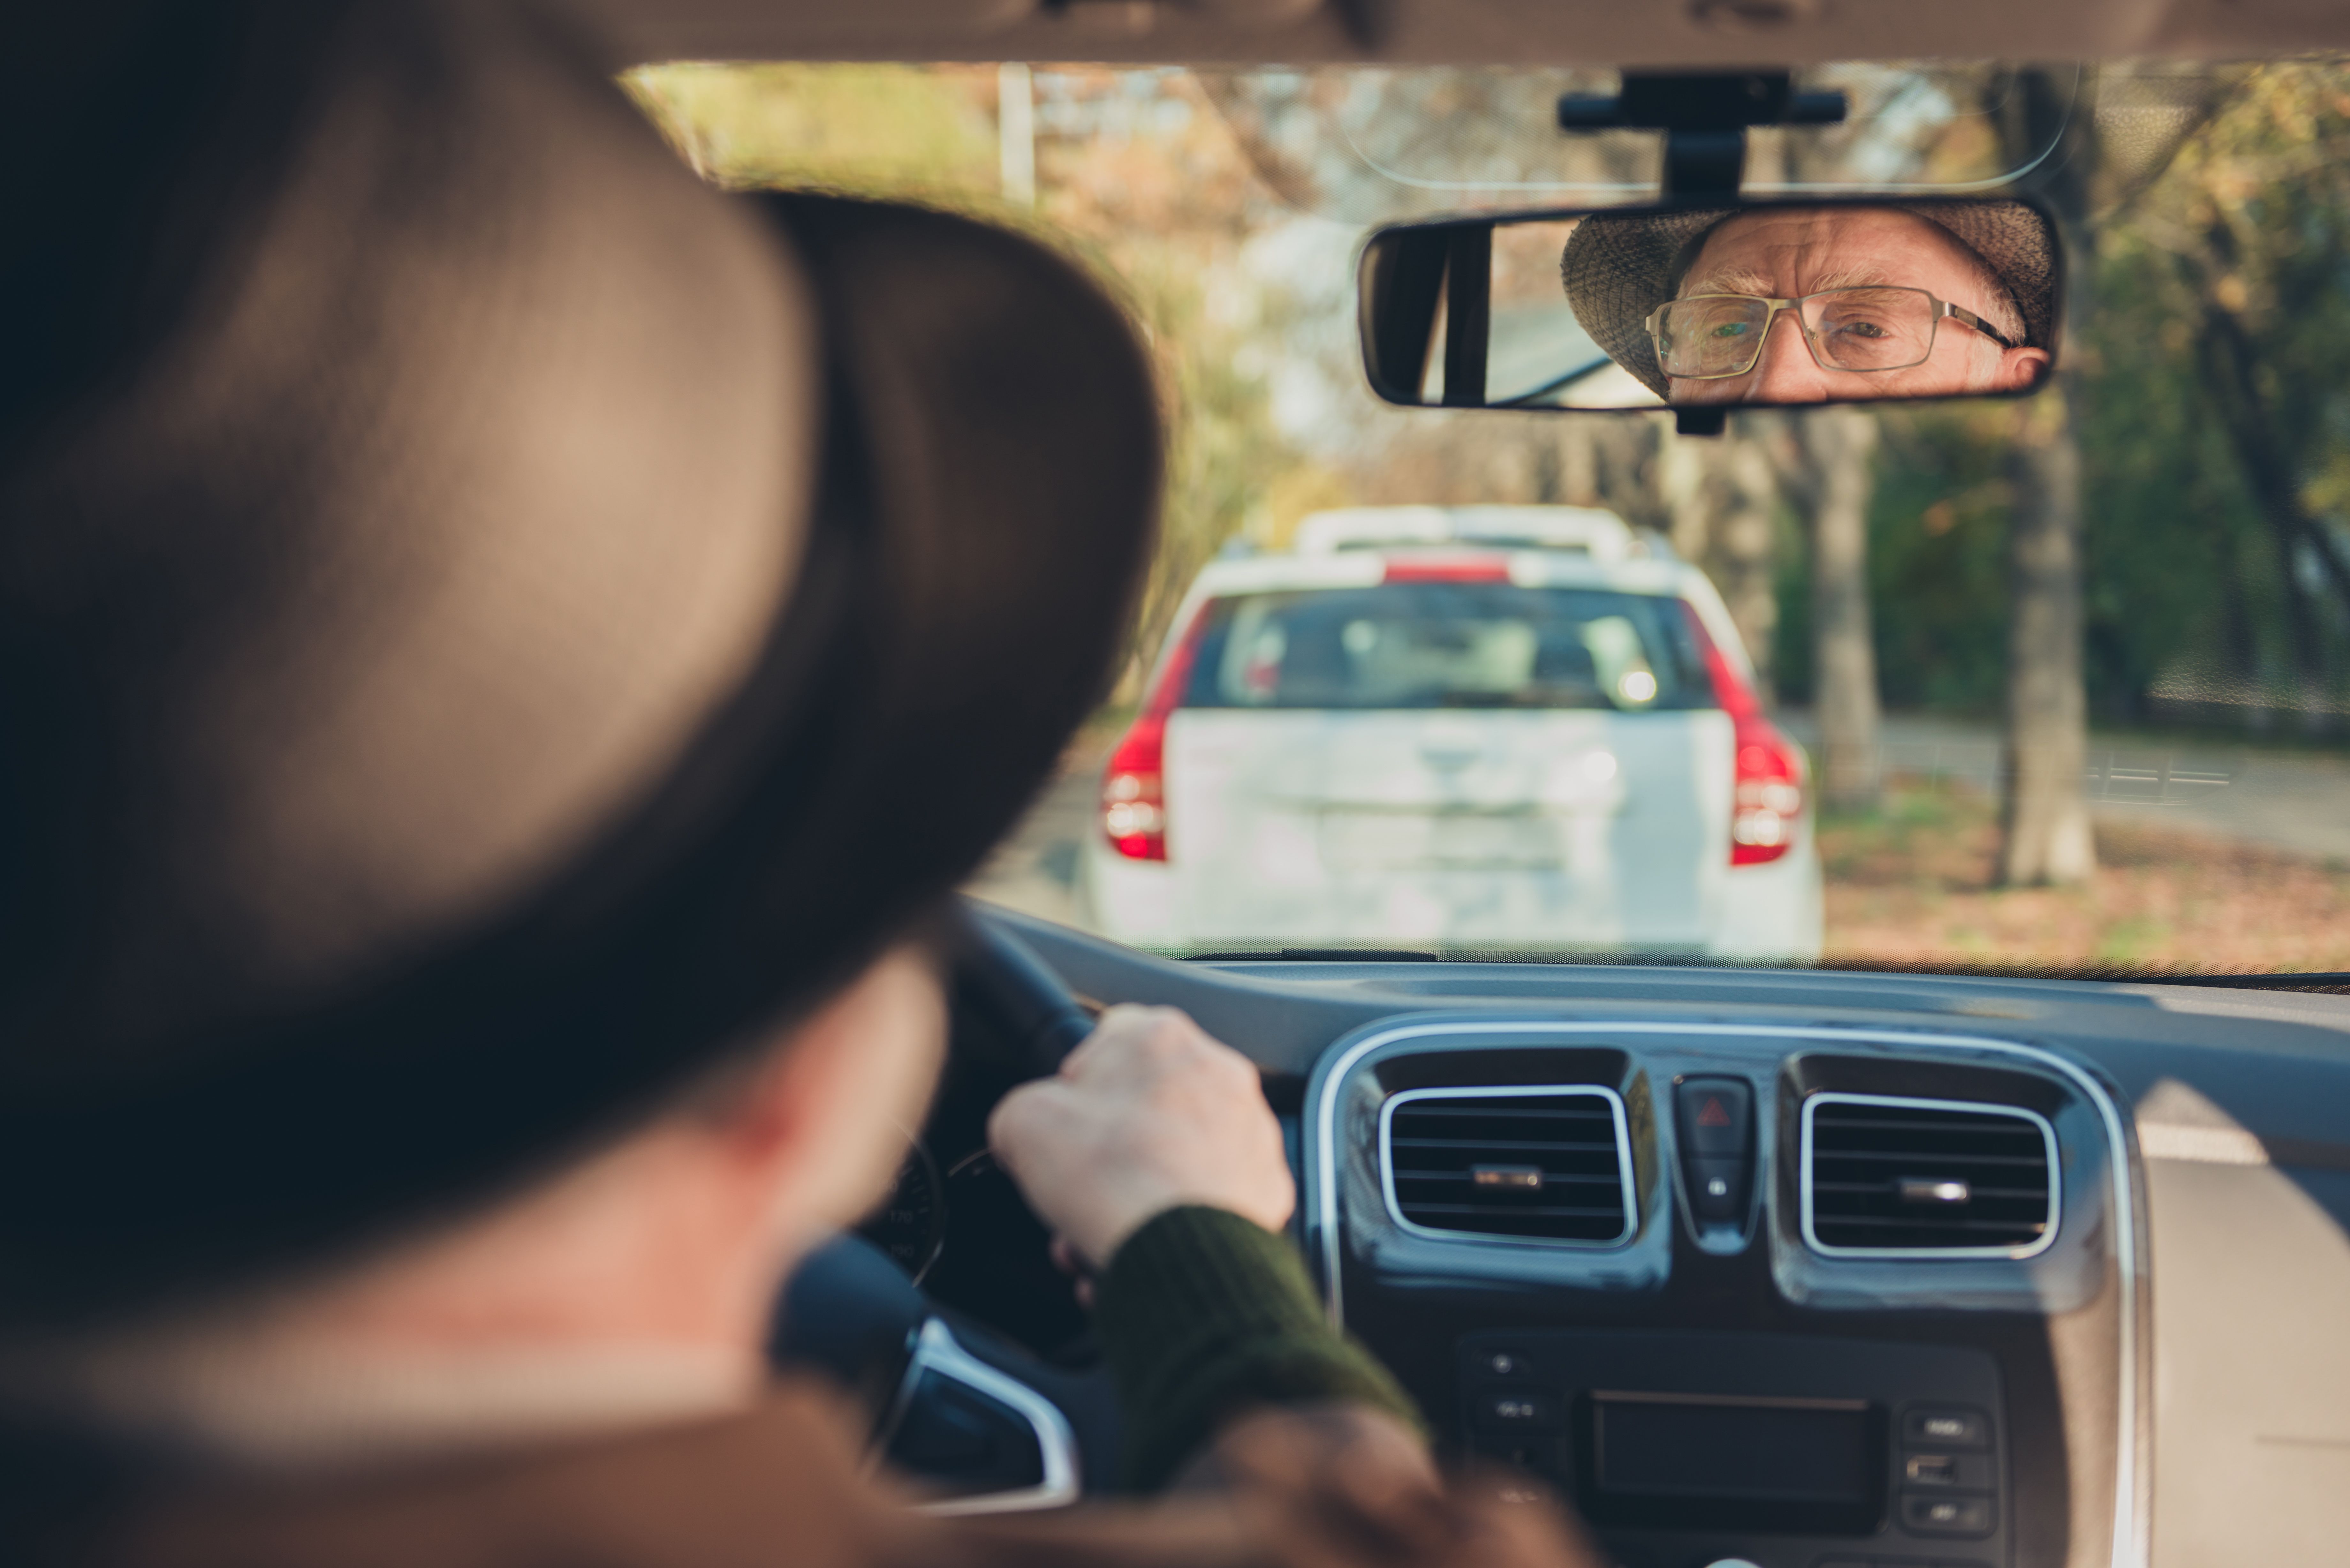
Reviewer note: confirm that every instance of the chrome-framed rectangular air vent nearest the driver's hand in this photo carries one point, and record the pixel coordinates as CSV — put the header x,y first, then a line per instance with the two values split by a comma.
x,y
1526,1165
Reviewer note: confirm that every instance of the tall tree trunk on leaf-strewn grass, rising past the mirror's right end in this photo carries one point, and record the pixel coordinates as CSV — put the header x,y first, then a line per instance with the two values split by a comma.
x,y
2043,800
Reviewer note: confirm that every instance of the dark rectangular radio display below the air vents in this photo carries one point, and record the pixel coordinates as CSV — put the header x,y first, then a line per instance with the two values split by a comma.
x,y
1813,1466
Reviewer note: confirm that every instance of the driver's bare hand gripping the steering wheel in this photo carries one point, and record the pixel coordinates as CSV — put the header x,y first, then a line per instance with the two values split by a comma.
x,y
1148,1115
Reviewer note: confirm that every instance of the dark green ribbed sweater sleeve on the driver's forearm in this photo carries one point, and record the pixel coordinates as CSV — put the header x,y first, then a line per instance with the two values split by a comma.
x,y
1204,1315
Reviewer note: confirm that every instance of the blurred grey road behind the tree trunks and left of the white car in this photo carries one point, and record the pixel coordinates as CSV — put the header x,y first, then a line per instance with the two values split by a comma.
x,y
2257,796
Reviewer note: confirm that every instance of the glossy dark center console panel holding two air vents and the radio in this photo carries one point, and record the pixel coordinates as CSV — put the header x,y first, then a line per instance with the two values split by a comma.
x,y
1787,1299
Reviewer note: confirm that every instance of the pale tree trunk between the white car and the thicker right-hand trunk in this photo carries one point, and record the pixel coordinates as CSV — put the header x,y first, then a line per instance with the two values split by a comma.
x,y
1841,445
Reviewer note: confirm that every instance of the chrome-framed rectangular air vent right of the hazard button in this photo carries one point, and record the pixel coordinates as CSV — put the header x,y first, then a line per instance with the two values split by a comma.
x,y
1926,1179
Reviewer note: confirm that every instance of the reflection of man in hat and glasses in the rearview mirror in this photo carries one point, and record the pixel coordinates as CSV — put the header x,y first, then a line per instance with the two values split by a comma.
x,y
1820,304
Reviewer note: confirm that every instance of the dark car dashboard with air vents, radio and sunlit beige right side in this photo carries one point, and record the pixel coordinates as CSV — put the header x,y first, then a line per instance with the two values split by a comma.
x,y
1799,1271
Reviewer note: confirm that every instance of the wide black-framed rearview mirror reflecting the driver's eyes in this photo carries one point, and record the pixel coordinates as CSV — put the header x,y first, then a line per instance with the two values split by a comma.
x,y
1712,307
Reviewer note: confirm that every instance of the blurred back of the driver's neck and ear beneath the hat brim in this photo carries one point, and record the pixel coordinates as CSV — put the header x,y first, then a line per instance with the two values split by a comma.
x,y
626,1294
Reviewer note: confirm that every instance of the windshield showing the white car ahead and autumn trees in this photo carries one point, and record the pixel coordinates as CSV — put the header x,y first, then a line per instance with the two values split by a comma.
x,y
2055,685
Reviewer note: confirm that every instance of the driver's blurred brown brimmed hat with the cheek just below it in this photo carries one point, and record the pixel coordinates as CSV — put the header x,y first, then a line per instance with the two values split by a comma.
x,y
495,636
